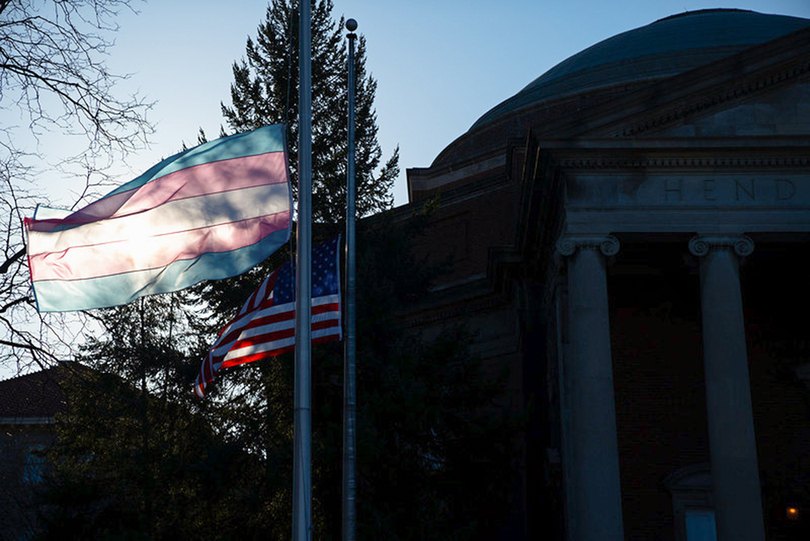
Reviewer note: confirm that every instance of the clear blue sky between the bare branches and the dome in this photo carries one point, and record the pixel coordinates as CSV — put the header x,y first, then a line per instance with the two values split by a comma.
x,y
439,64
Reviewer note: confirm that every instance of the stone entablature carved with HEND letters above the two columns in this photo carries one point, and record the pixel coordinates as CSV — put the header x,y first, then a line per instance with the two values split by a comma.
x,y
677,185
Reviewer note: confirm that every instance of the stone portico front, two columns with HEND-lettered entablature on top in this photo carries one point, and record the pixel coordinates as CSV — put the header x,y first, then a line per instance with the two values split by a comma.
x,y
721,197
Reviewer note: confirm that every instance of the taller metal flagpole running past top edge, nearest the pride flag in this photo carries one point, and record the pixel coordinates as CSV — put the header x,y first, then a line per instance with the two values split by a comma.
x,y
302,466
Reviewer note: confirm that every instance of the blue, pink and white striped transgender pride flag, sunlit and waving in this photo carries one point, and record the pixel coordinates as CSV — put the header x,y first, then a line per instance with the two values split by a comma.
x,y
211,212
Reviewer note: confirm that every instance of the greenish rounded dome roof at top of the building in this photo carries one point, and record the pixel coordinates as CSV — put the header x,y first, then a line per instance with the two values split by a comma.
x,y
664,48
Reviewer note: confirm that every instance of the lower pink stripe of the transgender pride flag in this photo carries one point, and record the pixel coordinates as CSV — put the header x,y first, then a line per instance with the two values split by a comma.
x,y
83,262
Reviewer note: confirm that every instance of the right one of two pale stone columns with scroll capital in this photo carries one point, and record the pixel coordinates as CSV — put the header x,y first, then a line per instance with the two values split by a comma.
x,y
732,445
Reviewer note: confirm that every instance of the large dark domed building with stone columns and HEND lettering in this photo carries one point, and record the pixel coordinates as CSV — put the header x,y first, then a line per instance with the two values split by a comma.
x,y
628,235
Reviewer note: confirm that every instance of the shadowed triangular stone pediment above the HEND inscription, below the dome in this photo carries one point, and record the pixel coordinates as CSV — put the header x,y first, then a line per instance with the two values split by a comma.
x,y
743,90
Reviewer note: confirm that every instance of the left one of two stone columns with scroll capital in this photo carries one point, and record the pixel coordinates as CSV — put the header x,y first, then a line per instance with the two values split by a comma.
x,y
596,492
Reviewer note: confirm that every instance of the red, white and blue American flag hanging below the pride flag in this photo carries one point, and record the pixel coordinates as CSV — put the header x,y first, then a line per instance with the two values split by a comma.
x,y
265,325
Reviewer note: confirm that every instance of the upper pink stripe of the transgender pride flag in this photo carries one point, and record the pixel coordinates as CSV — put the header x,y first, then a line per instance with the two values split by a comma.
x,y
205,179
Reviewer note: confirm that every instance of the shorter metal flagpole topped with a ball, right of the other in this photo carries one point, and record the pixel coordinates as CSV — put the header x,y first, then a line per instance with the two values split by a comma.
x,y
349,399
